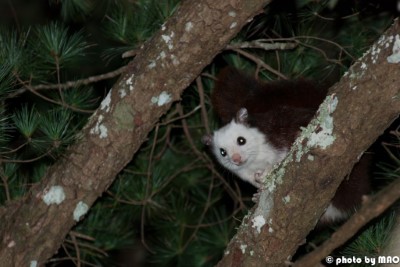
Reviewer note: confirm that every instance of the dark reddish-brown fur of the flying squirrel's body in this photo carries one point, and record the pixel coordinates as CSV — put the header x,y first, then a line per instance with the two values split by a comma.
x,y
279,109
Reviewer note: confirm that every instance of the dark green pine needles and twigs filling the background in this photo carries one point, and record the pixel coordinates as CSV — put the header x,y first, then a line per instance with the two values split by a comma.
x,y
172,205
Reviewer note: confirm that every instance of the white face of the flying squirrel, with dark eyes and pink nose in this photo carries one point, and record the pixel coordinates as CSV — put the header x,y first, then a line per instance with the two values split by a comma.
x,y
235,145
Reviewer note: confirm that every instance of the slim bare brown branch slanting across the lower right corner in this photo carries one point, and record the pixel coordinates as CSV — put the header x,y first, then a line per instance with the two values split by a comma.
x,y
371,208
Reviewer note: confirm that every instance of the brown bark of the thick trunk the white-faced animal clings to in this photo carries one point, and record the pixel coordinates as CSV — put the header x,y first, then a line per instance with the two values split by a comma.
x,y
368,101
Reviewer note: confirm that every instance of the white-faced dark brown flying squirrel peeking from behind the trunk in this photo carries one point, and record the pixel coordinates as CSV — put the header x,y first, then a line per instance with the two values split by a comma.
x,y
261,121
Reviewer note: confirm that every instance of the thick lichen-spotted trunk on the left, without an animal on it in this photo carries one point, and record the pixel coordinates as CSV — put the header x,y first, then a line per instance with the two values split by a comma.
x,y
31,231
